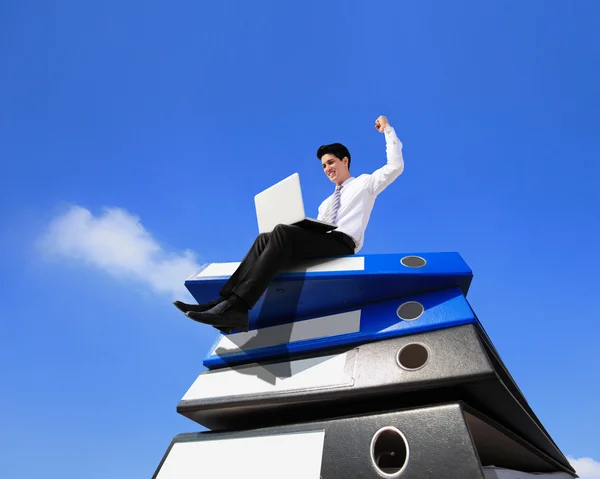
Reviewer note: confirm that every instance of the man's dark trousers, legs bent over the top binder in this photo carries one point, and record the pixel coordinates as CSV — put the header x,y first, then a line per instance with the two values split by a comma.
x,y
272,251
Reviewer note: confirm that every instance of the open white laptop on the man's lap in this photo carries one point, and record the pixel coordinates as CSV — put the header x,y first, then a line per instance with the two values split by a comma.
x,y
282,203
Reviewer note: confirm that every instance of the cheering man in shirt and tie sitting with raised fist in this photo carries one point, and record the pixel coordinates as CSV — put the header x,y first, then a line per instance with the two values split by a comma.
x,y
349,207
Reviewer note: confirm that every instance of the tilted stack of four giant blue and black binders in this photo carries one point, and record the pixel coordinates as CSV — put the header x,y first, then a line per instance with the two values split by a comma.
x,y
369,366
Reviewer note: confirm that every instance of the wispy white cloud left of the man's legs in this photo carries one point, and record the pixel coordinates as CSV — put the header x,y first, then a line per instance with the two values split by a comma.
x,y
117,243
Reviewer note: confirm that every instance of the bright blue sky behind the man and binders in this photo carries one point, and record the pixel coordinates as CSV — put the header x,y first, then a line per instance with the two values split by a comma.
x,y
134,136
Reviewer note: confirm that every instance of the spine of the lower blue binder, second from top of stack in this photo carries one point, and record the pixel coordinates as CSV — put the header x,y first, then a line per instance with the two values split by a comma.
x,y
373,322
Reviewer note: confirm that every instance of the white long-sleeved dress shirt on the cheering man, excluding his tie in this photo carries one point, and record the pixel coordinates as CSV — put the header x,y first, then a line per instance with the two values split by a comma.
x,y
358,194
